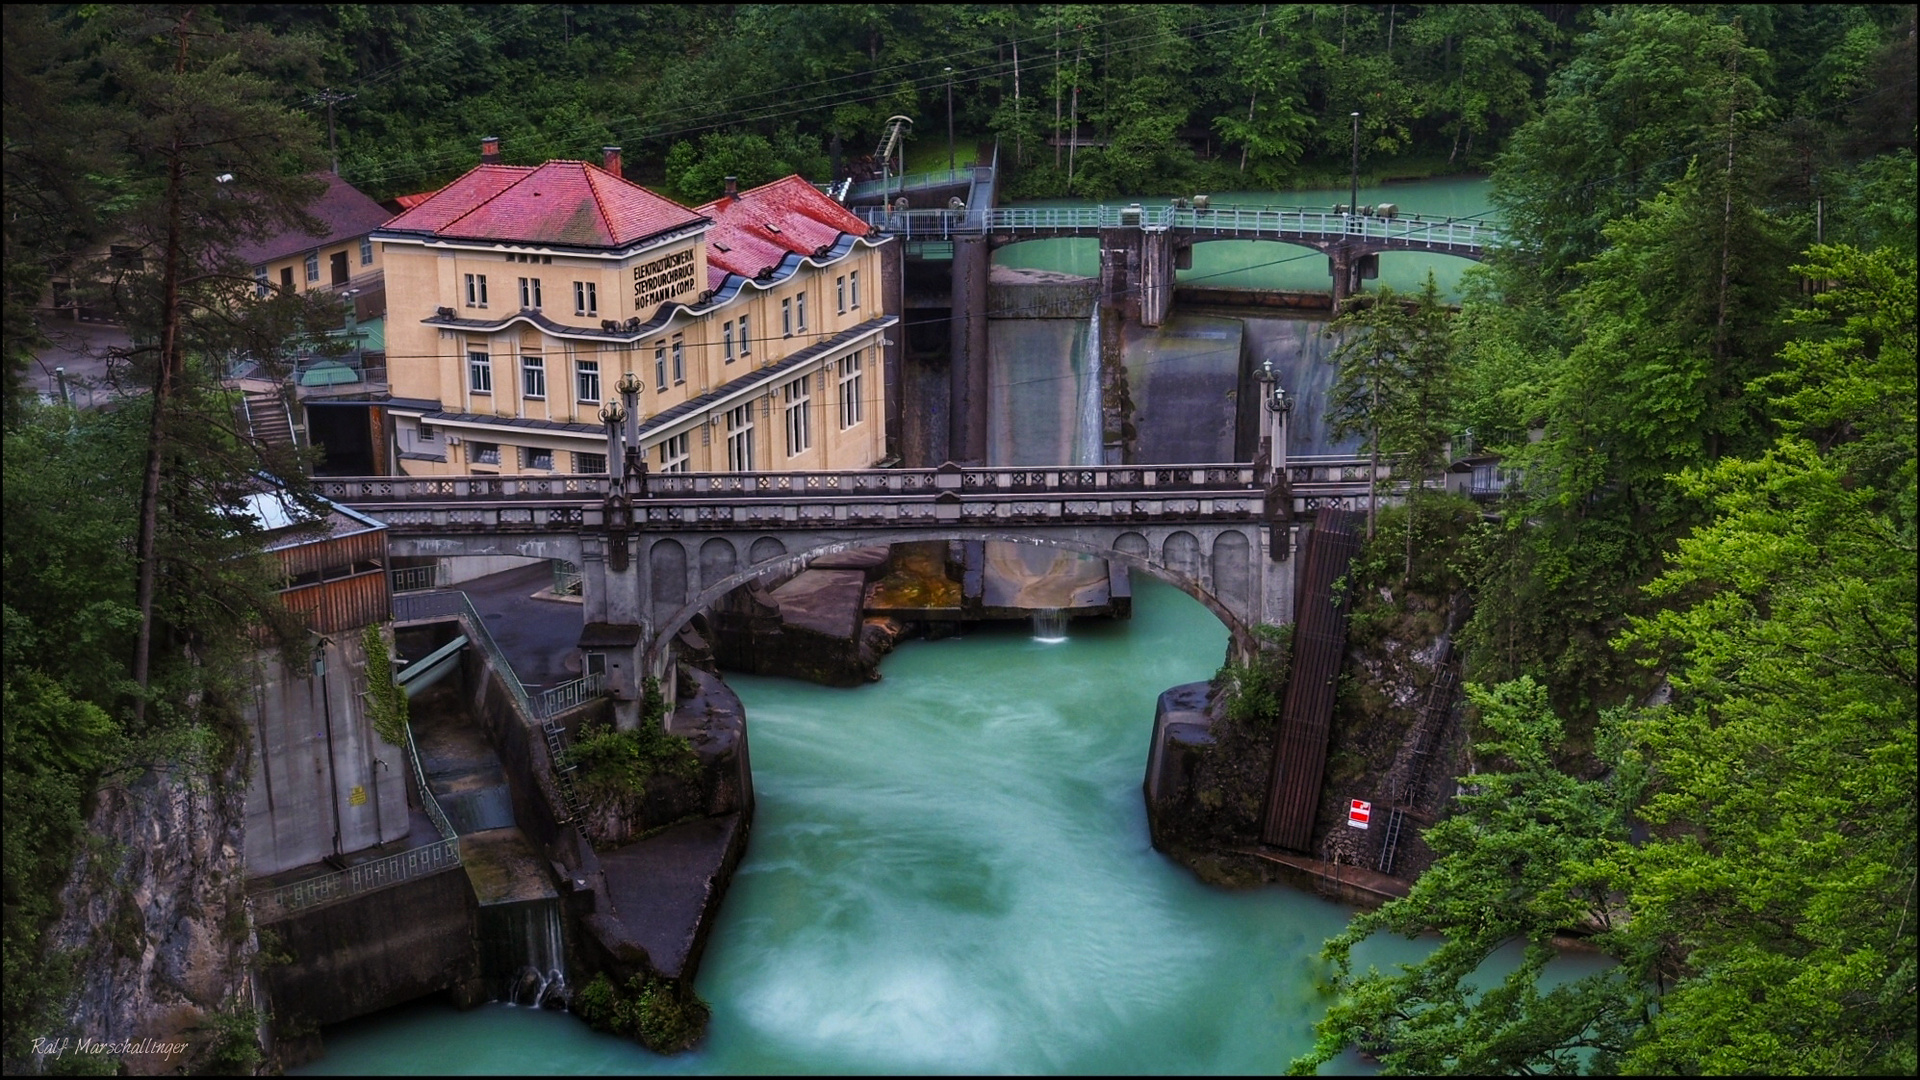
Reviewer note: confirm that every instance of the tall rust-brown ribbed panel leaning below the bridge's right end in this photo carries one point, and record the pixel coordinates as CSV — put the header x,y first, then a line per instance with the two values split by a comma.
x,y
1307,718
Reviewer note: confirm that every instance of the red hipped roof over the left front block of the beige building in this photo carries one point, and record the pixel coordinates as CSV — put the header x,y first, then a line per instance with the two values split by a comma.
x,y
562,203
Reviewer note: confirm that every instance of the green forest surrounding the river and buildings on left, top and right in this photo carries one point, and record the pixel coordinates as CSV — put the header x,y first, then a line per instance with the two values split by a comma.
x,y
1692,650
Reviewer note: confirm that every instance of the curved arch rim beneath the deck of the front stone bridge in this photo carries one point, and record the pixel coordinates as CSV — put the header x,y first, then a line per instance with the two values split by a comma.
x,y
1130,549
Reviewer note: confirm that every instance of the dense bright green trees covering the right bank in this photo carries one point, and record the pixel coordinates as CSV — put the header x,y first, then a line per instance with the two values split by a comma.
x,y
1702,597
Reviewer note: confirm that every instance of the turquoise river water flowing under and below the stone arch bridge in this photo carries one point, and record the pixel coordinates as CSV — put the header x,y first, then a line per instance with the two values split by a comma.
x,y
949,873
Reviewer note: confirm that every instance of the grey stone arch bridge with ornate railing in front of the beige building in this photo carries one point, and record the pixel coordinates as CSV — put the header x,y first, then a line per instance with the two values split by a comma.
x,y
660,549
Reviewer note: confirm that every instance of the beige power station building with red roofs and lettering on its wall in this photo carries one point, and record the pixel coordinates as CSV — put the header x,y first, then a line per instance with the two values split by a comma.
x,y
521,295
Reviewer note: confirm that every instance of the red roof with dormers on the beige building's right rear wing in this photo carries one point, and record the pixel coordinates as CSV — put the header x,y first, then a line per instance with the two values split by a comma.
x,y
763,226
